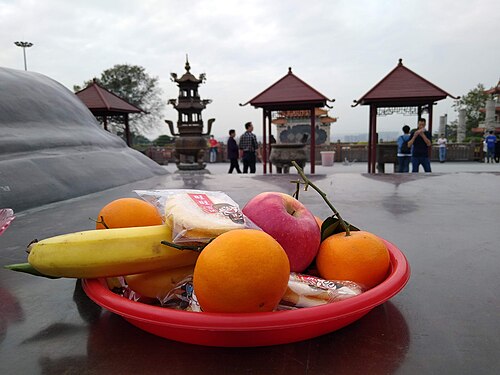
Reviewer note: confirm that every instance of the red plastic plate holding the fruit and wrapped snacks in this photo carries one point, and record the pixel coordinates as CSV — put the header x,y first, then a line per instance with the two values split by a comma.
x,y
252,329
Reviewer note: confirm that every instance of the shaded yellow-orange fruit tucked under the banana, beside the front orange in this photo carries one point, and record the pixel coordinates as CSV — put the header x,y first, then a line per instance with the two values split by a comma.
x,y
157,284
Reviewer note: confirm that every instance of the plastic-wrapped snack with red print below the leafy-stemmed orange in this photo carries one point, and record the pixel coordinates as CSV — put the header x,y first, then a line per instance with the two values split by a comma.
x,y
308,291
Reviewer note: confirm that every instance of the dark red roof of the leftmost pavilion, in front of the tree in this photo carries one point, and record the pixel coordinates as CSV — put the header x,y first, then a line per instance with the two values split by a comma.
x,y
98,99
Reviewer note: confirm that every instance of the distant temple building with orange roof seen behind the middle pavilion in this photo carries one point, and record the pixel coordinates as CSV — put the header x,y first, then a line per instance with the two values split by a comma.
x,y
295,126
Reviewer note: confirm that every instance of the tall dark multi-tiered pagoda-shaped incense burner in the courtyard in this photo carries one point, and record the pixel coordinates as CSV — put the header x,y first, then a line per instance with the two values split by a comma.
x,y
191,142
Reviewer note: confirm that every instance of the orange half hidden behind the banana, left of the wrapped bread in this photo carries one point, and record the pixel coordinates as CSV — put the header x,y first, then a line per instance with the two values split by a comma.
x,y
128,212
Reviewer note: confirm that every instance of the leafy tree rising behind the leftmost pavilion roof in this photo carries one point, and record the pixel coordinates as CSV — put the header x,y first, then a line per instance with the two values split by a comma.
x,y
132,83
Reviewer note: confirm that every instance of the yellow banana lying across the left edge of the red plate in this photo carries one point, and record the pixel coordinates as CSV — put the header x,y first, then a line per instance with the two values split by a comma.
x,y
107,253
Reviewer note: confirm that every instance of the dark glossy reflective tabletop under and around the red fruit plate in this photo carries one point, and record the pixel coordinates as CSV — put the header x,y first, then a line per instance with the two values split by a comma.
x,y
445,321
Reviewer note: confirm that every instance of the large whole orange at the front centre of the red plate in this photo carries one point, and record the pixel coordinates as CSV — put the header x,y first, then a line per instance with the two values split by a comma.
x,y
241,271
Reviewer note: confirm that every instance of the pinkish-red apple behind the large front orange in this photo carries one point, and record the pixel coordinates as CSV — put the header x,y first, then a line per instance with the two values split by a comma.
x,y
290,223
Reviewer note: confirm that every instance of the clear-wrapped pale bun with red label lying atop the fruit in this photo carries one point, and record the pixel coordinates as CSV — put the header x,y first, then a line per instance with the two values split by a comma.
x,y
197,216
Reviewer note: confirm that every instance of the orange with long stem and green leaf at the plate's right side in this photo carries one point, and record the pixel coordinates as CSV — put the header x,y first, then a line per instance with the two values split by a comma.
x,y
361,257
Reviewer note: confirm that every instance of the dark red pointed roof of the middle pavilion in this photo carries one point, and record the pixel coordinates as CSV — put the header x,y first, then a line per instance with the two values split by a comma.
x,y
289,90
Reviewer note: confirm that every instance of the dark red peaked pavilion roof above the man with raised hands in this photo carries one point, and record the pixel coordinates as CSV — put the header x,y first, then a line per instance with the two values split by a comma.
x,y
403,86
